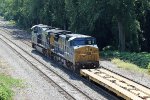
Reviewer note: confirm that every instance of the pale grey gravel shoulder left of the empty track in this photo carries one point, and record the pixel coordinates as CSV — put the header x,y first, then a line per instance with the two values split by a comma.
x,y
35,86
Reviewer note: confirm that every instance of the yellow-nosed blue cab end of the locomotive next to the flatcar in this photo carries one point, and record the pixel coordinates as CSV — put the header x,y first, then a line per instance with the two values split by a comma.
x,y
86,52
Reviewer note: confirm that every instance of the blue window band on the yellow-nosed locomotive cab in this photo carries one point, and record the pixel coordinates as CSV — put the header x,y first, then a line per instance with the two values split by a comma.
x,y
83,41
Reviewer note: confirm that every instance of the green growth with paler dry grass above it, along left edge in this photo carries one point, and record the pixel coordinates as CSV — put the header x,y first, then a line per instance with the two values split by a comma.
x,y
7,82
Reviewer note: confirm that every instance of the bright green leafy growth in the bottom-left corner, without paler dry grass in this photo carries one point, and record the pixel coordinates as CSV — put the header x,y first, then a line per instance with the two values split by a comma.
x,y
6,83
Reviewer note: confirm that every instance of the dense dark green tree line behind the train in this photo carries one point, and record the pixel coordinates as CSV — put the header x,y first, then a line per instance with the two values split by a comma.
x,y
118,24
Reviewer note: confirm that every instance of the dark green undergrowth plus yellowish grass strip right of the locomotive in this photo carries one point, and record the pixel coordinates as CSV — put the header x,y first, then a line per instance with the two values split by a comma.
x,y
139,62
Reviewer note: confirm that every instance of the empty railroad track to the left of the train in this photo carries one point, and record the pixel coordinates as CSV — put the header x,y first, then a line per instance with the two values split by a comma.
x,y
69,90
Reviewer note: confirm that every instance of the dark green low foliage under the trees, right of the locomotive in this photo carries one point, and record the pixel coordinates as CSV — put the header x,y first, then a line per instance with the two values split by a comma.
x,y
140,59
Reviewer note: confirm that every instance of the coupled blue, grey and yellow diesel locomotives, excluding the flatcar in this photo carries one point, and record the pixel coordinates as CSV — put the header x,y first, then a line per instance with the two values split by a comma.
x,y
74,51
